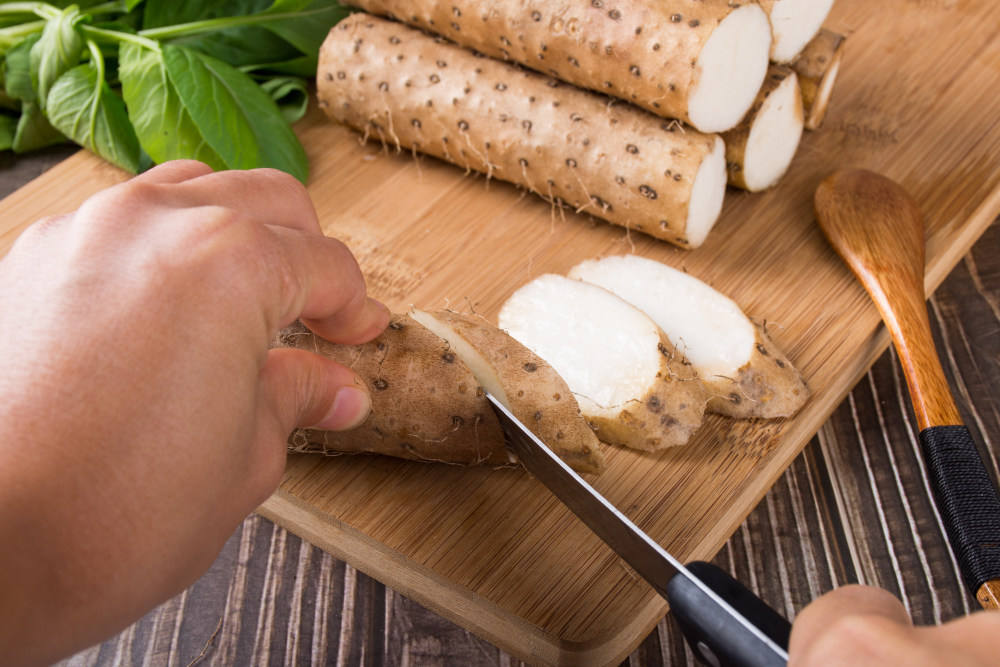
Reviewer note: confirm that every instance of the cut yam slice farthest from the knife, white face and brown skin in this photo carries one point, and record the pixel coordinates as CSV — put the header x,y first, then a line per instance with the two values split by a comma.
x,y
746,374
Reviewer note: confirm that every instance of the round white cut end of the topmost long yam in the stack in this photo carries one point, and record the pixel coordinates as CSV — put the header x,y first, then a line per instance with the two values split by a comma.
x,y
730,69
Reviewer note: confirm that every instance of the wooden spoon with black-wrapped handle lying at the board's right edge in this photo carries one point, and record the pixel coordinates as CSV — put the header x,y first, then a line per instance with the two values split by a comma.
x,y
878,230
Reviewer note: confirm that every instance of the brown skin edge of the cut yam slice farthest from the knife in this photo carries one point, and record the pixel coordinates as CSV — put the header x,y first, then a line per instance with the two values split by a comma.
x,y
768,386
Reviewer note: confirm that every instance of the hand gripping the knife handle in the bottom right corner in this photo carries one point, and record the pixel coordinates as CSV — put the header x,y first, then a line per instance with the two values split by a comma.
x,y
857,626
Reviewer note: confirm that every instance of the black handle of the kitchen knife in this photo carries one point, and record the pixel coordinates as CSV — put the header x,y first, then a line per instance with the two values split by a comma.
x,y
715,636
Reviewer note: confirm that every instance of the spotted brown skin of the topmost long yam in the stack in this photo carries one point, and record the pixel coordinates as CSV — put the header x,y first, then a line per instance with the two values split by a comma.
x,y
642,52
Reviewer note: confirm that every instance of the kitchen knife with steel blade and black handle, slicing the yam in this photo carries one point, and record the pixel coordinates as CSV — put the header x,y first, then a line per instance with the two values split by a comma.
x,y
724,622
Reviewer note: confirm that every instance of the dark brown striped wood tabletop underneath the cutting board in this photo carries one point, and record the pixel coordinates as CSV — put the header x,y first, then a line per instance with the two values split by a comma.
x,y
854,507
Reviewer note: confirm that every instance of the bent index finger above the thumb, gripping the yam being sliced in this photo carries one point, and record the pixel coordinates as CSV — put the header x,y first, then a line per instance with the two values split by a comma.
x,y
319,281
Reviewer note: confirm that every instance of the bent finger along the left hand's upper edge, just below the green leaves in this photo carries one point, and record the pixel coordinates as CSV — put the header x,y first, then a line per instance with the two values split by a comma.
x,y
264,196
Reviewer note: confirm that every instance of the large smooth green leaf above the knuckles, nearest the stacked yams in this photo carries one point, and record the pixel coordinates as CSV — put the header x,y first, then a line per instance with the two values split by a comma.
x,y
238,119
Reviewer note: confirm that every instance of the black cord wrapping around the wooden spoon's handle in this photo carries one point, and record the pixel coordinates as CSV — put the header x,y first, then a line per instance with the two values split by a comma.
x,y
967,500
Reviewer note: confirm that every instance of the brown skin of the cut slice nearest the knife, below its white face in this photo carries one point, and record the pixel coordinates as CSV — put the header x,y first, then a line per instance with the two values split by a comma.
x,y
667,416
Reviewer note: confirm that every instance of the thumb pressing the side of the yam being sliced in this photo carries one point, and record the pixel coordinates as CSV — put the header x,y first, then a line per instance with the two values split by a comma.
x,y
301,389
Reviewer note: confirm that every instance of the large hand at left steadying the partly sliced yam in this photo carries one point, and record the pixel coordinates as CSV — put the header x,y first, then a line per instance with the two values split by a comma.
x,y
142,416
